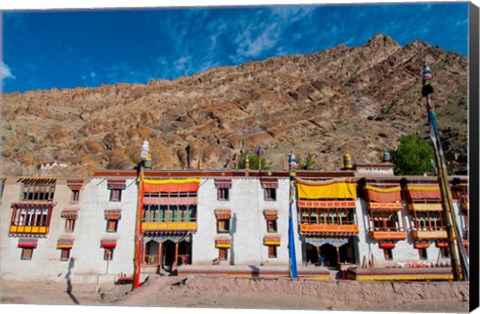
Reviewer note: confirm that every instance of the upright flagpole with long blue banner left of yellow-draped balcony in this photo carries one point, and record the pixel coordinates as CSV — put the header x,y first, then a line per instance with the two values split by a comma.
x,y
292,164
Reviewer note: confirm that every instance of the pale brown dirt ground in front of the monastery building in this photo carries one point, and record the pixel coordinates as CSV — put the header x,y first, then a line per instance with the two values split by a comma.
x,y
242,293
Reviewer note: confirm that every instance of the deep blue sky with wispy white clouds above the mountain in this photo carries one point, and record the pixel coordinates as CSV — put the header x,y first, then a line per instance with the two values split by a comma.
x,y
67,49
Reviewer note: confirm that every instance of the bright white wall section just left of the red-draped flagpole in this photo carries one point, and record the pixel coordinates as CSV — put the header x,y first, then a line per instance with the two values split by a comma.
x,y
91,229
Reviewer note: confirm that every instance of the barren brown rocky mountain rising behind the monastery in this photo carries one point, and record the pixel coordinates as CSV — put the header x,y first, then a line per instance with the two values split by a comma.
x,y
358,99
